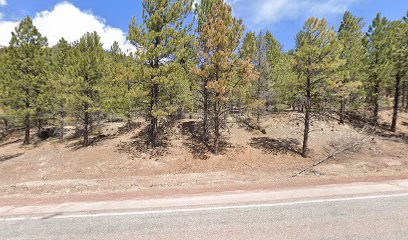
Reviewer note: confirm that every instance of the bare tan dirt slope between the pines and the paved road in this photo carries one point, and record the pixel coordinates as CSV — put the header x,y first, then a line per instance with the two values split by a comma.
x,y
119,163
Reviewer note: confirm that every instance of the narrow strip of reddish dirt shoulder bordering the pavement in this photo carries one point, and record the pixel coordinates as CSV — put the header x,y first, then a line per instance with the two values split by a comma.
x,y
159,193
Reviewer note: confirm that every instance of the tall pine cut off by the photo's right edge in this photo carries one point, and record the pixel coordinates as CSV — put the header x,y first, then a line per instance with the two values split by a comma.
x,y
398,34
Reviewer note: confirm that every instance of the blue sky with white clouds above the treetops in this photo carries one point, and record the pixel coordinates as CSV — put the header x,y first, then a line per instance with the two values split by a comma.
x,y
283,18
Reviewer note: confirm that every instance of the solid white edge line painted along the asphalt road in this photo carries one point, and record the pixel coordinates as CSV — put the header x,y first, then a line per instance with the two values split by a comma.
x,y
90,215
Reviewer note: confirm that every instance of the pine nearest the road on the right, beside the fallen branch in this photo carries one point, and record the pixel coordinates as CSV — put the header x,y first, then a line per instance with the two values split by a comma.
x,y
316,60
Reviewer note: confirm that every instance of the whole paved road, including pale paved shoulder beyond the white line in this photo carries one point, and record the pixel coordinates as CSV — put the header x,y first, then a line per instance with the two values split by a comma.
x,y
357,211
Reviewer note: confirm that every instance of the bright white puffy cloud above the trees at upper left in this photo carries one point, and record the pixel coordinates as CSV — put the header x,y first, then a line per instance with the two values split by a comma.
x,y
67,21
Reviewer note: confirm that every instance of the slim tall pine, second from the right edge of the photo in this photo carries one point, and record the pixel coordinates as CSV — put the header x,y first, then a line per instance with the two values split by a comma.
x,y
378,63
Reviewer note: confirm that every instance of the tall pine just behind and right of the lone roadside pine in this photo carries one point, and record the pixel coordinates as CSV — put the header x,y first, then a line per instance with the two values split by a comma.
x,y
353,71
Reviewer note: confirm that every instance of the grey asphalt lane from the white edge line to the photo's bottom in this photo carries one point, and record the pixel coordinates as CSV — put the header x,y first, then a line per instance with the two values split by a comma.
x,y
373,216
